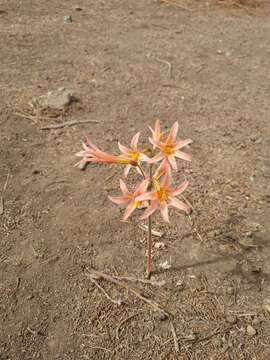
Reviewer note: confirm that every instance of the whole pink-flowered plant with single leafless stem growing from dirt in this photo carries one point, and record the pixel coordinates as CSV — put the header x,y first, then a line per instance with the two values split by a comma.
x,y
155,166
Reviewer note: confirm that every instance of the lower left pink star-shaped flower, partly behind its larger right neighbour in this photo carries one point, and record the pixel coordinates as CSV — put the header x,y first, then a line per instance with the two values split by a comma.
x,y
129,198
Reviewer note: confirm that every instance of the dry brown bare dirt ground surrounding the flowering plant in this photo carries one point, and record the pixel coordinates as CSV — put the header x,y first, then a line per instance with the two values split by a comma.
x,y
129,62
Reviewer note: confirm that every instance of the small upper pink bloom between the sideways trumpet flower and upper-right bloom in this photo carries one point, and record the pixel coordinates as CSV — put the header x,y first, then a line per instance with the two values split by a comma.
x,y
132,154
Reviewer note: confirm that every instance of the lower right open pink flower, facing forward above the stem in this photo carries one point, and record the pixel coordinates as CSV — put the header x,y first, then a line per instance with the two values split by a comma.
x,y
162,197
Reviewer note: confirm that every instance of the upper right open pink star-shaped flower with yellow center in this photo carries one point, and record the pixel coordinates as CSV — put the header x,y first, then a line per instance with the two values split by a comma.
x,y
170,148
